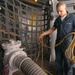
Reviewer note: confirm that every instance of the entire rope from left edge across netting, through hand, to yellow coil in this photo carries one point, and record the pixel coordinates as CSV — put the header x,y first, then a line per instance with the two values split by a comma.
x,y
71,47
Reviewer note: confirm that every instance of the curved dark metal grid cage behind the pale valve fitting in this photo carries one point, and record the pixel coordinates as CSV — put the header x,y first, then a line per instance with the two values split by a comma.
x,y
22,21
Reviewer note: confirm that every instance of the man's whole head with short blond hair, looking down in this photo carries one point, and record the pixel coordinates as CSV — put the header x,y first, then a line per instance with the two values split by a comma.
x,y
61,9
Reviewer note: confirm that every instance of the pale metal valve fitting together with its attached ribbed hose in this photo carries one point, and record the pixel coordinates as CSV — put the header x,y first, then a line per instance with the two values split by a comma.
x,y
16,58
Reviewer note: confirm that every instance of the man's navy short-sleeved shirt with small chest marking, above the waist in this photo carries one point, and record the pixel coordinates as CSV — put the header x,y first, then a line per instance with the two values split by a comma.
x,y
65,27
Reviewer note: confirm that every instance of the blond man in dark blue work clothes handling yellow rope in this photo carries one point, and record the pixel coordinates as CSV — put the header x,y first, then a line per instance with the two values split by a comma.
x,y
65,24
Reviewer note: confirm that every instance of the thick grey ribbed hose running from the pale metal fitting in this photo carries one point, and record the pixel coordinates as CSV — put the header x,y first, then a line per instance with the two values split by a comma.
x,y
27,66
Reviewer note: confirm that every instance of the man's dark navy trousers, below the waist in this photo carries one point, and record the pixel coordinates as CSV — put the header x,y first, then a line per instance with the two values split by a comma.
x,y
62,63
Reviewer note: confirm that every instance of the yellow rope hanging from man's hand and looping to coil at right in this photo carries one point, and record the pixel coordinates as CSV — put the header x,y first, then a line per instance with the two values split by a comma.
x,y
67,52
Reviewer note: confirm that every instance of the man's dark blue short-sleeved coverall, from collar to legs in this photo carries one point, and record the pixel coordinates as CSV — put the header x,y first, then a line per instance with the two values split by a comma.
x,y
63,28
